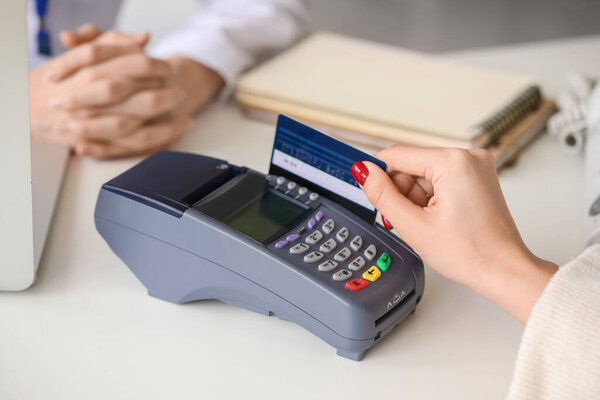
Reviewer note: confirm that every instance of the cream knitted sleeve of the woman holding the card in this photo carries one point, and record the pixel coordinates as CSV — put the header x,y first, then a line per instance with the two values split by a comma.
x,y
559,357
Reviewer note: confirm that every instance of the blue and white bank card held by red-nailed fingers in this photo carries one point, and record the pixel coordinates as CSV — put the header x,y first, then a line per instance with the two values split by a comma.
x,y
321,163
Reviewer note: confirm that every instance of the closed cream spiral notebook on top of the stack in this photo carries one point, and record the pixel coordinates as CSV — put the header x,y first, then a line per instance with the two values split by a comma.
x,y
387,95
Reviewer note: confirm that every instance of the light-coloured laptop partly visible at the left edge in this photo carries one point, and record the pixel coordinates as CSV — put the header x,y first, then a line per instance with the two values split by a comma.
x,y
30,173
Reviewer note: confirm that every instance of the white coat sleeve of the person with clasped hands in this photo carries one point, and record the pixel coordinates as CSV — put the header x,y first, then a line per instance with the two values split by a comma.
x,y
230,36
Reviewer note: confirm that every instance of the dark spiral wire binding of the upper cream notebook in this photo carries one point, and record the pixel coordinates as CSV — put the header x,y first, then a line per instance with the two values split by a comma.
x,y
507,117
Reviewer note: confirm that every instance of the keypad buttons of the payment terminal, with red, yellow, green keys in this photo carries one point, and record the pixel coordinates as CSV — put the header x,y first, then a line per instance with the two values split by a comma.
x,y
323,245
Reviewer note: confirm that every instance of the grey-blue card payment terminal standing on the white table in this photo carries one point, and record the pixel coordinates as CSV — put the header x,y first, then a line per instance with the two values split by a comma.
x,y
192,227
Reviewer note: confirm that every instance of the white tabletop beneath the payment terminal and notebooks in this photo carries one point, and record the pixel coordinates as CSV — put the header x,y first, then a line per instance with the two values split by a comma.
x,y
88,330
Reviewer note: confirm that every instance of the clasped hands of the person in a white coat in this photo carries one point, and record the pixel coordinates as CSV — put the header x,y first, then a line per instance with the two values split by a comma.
x,y
106,98
